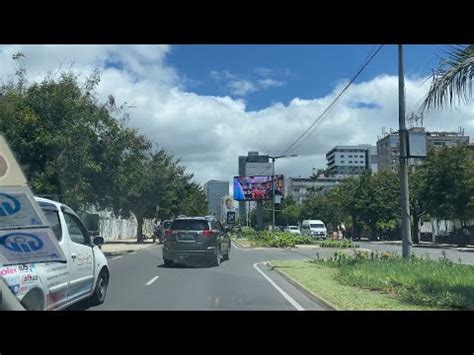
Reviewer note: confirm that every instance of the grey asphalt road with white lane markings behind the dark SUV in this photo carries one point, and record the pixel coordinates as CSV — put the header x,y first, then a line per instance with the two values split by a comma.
x,y
139,281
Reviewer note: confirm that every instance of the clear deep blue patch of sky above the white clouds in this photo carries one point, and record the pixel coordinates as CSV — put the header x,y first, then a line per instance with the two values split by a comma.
x,y
305,71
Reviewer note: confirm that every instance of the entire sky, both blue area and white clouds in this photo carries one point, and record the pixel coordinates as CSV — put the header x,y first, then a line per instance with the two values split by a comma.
x,y
208,104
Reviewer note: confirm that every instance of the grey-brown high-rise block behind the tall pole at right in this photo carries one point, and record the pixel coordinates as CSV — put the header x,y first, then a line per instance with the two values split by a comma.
x,y
388,147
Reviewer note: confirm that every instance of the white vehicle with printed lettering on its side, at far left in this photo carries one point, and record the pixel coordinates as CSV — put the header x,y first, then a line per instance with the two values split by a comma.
x,y
57,285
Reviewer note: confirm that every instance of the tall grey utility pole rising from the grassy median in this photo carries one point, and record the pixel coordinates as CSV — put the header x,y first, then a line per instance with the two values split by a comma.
x,y
403,134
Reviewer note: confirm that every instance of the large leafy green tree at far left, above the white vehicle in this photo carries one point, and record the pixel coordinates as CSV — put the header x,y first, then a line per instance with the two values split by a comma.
x,y
55,128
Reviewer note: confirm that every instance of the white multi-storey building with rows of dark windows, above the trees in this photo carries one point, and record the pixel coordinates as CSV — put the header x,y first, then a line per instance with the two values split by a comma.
x,y
350,159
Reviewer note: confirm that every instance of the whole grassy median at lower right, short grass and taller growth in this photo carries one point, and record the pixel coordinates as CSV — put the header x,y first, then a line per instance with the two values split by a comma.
x,y
384,281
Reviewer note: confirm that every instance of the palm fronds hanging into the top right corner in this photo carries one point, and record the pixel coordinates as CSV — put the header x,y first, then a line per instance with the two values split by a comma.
x,y
452,80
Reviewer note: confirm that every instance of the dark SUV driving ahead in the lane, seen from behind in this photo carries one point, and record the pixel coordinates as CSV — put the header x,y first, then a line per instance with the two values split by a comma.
x,y
203,237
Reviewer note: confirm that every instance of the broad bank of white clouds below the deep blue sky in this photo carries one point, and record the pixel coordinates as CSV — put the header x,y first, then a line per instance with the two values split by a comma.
x,y
209,133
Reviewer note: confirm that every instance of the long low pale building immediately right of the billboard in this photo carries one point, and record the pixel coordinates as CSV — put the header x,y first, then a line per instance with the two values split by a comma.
x,y
299,188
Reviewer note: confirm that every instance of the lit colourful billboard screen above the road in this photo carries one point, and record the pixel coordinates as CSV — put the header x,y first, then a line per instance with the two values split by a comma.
x,y
255,188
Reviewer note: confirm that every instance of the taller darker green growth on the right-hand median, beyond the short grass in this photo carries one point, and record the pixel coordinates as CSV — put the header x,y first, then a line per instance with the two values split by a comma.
x,y
441,284
